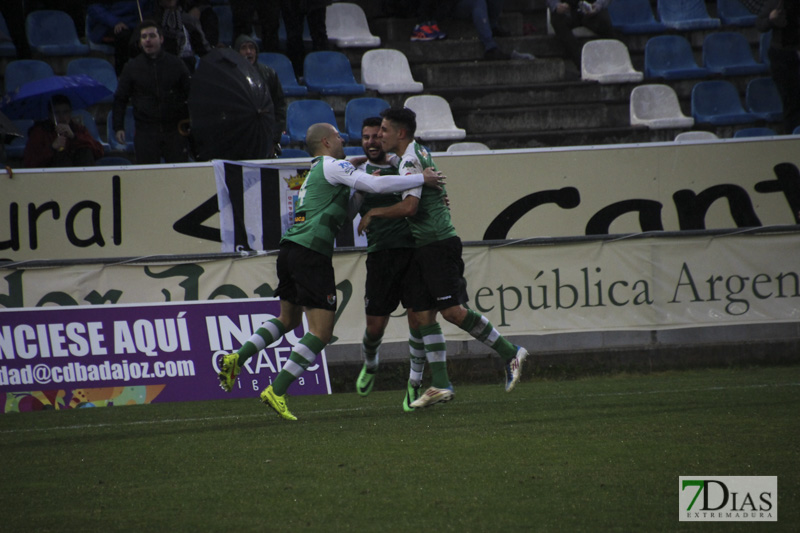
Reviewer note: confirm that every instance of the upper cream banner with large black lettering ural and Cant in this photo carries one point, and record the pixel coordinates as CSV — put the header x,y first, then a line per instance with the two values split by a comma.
x,y
157,210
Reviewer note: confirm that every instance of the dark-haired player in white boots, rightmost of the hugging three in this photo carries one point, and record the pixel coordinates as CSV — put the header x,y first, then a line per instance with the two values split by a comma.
x,y
436,280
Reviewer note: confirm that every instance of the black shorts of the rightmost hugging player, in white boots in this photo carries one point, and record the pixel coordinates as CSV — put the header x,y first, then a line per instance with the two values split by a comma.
x,y
436,277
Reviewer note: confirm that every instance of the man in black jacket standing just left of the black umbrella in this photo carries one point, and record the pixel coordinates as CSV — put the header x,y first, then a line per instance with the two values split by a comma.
x,y
157,83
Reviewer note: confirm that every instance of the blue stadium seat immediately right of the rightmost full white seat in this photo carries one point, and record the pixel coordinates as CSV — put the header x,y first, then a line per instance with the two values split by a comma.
x,y
717,102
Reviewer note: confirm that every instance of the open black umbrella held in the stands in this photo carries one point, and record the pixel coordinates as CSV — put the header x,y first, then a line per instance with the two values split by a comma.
x,y
230,108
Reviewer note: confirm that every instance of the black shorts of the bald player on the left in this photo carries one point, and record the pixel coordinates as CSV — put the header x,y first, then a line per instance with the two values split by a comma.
x,y
305,277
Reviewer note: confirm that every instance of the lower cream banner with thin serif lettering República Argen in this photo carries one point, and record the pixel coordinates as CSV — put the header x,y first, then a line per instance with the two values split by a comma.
x,y
645,283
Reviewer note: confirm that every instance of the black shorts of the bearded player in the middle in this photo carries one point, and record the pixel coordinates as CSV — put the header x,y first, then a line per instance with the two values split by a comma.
x,y
386,272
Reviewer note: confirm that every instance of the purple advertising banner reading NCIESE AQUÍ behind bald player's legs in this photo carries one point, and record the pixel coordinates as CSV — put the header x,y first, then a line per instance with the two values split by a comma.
x,y
92,356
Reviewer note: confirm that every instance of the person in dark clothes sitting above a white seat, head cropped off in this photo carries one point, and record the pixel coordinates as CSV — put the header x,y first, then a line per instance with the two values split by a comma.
x,y
565,15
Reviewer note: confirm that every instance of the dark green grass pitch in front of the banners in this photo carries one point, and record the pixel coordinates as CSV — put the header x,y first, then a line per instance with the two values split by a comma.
x,y
594,454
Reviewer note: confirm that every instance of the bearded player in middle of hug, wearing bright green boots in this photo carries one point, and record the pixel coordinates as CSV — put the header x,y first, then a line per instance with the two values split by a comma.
x,y
390,247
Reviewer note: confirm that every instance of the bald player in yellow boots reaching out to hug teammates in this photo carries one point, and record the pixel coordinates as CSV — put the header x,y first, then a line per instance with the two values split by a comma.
x,y
306,281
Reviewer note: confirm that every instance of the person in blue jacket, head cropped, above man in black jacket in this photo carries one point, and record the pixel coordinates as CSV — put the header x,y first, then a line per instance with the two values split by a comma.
x,y
113,23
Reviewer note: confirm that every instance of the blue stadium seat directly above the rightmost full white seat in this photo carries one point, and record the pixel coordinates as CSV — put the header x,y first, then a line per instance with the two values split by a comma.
x,y
671,57
